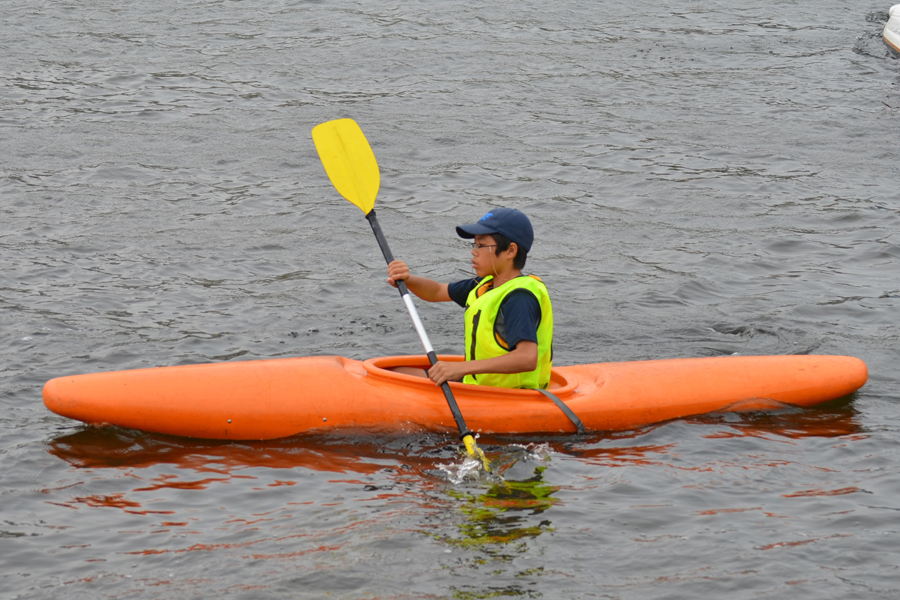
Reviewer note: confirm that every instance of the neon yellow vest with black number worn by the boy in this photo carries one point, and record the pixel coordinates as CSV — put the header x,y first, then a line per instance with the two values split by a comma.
x,y
483,340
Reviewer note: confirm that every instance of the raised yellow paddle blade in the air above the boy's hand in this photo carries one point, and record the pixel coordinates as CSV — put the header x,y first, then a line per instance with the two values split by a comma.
x,y
349,161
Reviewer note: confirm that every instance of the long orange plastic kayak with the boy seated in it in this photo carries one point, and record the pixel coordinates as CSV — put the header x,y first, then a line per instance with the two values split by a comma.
x,y
267,399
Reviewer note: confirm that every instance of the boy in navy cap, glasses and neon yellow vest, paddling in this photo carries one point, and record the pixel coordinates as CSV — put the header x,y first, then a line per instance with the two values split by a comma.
x,y
509,319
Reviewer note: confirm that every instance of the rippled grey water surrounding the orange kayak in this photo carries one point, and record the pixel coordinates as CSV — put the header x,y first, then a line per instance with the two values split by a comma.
x,y
704,178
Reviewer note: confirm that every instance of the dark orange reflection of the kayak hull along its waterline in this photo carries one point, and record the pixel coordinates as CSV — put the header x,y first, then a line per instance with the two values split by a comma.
x,y
112,447
